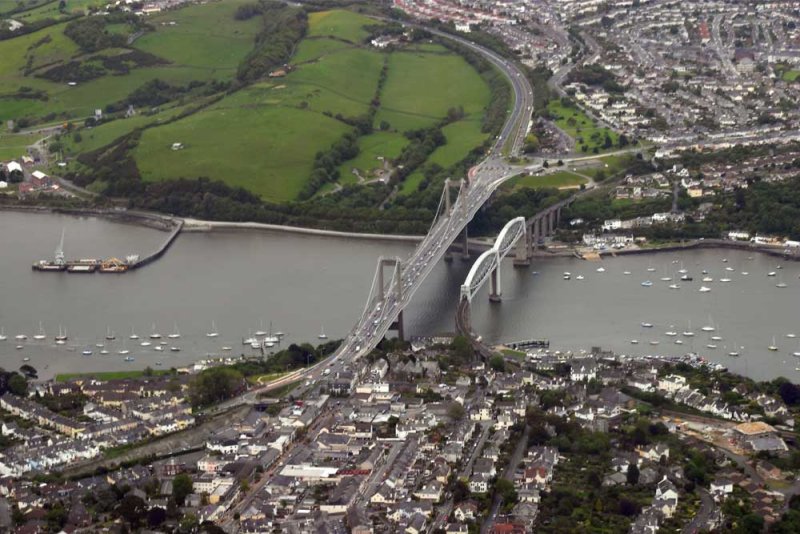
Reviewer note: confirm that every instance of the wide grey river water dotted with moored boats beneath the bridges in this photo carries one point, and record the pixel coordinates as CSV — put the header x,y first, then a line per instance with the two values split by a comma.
x,y
298,284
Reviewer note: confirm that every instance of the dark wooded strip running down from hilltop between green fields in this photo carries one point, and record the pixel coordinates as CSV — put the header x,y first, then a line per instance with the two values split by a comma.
x,y
282,30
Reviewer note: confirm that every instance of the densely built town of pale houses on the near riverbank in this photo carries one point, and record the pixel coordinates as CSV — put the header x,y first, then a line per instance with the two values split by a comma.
x,y
418,437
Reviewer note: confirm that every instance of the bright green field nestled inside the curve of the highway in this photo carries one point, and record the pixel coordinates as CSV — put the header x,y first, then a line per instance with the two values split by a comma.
x,y
408,101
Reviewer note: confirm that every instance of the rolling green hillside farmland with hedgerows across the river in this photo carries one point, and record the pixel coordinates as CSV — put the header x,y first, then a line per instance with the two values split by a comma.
x,y
262,133
